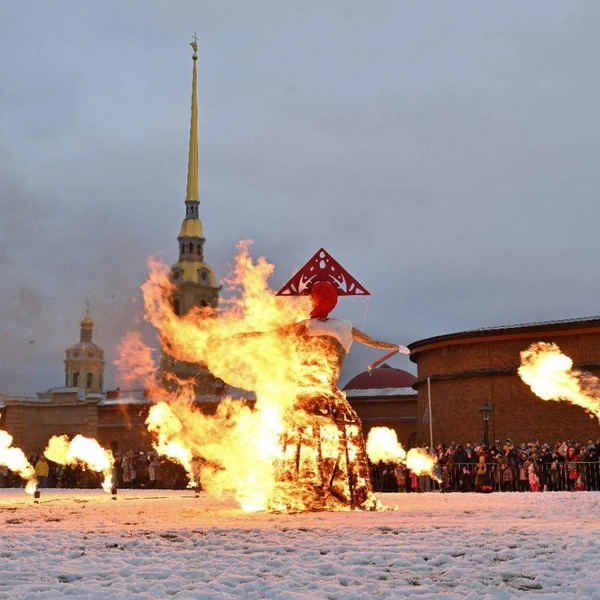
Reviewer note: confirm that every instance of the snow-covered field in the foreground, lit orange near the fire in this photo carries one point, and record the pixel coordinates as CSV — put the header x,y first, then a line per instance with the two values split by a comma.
x,y
162,544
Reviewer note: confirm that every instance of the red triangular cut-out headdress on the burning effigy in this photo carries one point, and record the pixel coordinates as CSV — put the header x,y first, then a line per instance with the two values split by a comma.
x,y
322,267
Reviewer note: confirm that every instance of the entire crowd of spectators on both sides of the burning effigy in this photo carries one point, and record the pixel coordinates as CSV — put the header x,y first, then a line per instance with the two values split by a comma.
x,y
566,465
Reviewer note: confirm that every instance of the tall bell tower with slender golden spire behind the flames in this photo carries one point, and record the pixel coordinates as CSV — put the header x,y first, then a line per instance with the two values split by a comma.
x,y
194,280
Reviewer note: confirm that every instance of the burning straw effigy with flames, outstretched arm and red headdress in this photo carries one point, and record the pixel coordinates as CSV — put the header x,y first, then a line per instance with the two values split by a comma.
x,y
300,447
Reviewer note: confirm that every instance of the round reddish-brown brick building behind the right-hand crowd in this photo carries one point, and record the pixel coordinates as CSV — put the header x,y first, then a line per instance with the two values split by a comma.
x,y
467,369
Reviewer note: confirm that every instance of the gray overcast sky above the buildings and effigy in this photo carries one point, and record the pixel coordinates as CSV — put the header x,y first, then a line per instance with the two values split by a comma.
x,y
445,153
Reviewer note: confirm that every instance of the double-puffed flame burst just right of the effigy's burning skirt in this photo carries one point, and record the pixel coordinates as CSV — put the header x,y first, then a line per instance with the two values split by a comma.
x,y
383,445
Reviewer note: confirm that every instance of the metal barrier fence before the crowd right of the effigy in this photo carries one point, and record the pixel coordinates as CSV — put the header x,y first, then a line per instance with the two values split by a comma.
x,y
469,477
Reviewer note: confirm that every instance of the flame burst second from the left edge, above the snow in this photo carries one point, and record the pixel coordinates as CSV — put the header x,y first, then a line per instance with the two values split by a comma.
x,y
84,451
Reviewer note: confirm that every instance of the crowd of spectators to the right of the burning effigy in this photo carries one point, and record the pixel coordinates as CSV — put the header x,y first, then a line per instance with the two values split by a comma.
x,y
566,465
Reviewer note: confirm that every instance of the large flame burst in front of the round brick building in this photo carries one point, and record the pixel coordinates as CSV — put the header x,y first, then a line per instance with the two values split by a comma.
x,y
550,375
